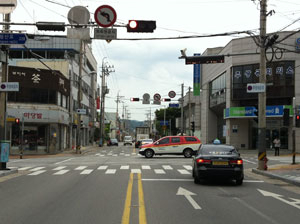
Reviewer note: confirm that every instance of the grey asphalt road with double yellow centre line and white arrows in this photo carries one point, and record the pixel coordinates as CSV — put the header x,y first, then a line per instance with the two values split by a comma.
x,y
116,186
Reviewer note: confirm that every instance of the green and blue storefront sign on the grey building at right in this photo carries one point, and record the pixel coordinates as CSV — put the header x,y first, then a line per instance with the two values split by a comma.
x,y
245,112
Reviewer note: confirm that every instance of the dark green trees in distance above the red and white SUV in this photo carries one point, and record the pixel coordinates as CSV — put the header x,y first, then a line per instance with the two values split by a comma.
x,y
171,113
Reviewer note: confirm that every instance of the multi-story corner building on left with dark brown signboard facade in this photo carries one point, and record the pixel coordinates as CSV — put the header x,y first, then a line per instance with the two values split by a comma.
x,y
50,72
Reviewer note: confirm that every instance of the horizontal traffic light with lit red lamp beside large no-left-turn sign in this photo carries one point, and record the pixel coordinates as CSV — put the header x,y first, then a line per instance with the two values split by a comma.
x,y
141,26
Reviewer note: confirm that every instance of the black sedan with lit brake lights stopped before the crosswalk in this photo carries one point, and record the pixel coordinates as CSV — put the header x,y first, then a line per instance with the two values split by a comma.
x,y
216,162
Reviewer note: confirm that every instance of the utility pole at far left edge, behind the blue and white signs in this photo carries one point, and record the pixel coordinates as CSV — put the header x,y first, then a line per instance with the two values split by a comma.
x,y
3,95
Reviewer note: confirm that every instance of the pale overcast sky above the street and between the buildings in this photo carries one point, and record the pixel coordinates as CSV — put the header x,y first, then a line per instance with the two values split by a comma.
x,y
152,66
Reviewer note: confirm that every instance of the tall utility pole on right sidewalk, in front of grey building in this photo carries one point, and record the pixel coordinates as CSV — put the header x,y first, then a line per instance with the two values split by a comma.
x,y
262,96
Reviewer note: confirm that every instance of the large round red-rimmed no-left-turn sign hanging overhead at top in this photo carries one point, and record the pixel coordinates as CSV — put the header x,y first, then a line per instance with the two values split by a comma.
x,y
105,16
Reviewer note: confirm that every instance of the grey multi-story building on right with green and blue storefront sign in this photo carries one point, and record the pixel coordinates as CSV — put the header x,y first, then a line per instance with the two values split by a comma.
x,y
228,110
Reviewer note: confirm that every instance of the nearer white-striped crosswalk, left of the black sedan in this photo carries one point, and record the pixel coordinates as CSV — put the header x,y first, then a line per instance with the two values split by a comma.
x,y
106,169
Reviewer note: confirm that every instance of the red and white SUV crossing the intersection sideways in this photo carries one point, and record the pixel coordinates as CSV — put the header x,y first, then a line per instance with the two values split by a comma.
x,y
172,145
